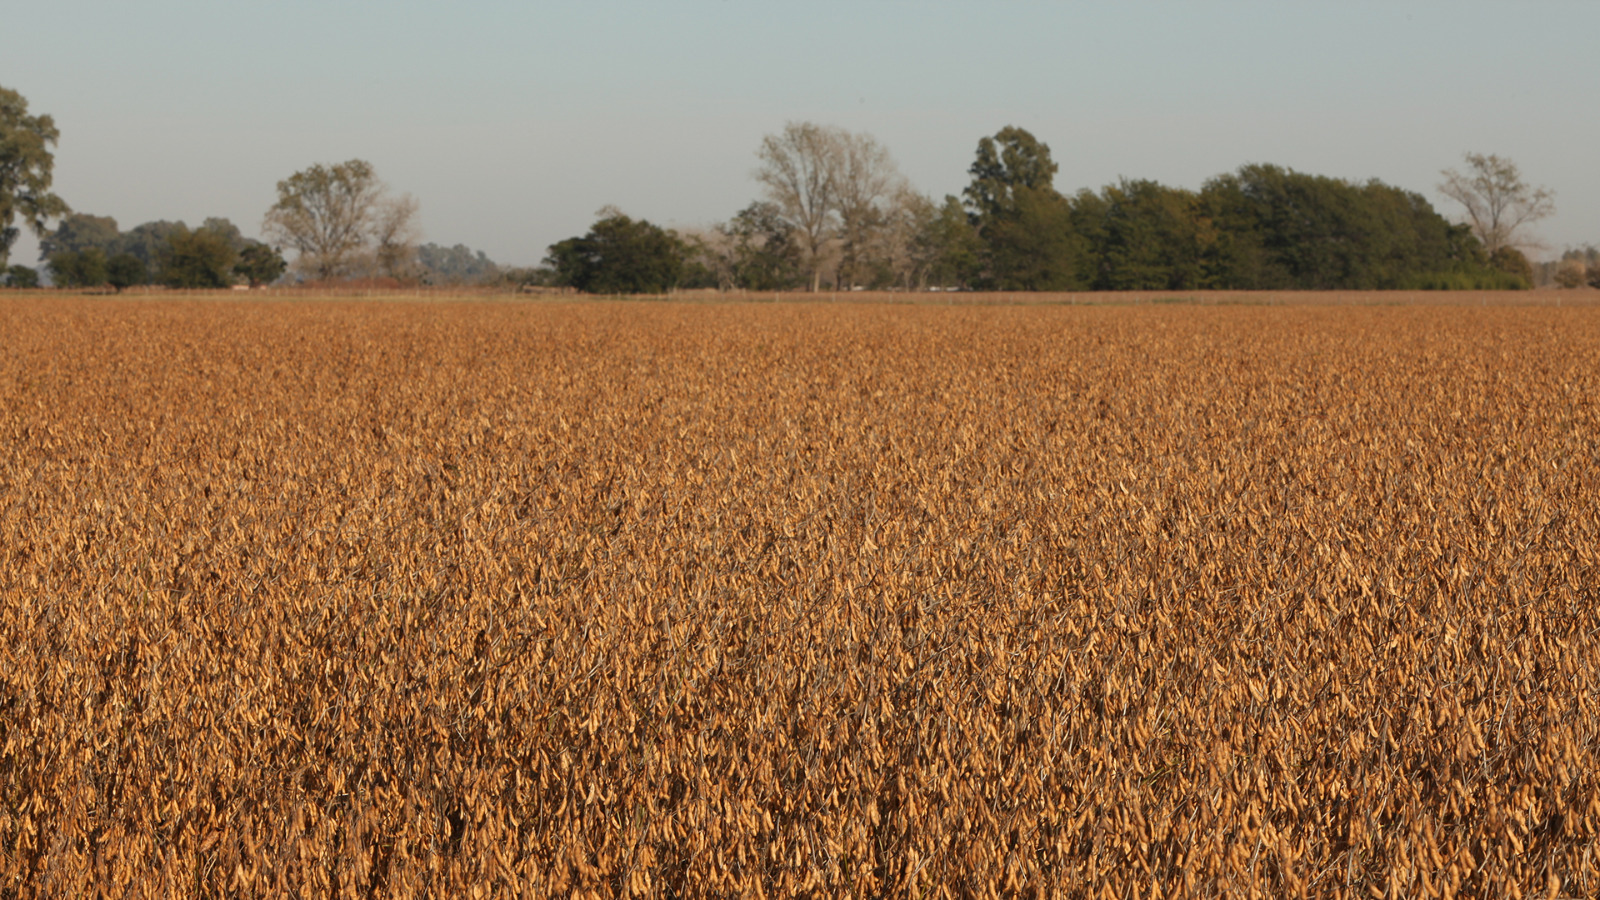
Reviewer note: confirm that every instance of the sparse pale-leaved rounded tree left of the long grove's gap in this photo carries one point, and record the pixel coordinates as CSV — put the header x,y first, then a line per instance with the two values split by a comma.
x,y
332,214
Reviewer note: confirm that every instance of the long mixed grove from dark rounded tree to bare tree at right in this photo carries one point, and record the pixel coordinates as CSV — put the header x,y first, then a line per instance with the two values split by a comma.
x,y
838,214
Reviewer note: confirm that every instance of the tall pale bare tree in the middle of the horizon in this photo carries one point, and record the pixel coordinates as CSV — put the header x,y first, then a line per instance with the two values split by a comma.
x,y
801,174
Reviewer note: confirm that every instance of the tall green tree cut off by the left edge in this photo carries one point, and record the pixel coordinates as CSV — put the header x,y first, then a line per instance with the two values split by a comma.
x,y
26,166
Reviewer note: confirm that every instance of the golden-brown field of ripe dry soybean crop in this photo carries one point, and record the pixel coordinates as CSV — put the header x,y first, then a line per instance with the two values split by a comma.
x,y
798,600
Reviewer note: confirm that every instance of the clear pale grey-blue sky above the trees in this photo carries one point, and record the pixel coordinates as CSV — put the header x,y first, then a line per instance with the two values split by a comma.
x,y
513,124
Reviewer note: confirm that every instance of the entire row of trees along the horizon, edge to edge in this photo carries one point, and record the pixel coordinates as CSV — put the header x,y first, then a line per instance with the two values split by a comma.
x,y
834,212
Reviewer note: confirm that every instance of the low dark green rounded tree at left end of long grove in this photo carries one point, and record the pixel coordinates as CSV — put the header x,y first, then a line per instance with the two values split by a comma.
x,y
620,255
